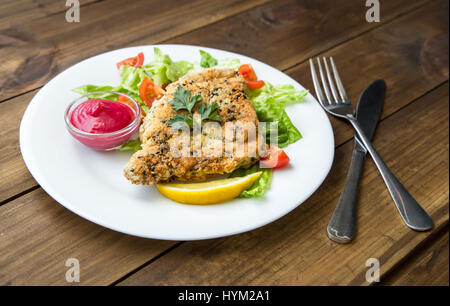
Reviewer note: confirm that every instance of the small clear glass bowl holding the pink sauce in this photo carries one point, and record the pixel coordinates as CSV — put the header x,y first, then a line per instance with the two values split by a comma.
x,y
106,141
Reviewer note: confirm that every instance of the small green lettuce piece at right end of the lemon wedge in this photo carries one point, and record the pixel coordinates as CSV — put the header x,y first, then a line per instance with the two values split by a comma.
x,y
260,186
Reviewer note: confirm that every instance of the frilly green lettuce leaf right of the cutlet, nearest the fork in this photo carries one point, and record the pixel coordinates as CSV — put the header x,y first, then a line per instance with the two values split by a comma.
x,y
270,103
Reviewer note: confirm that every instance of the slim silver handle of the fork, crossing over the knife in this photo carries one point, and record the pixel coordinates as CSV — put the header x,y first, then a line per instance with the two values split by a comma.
x,y
412,213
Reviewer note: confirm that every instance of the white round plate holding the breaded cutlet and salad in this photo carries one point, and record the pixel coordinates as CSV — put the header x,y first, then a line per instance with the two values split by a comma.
x,y
91,183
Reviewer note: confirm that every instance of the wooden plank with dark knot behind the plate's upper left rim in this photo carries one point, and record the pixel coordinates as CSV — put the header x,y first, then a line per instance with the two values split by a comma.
x,y
37,50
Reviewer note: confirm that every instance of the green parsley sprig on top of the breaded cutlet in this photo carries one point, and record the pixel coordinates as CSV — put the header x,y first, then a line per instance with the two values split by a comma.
x,y
183,101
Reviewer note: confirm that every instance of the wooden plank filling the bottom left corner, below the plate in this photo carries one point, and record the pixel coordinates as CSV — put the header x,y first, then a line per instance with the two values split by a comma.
x,y
37,236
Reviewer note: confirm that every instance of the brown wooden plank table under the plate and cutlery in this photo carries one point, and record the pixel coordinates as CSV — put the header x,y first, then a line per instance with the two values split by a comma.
x,y
408,48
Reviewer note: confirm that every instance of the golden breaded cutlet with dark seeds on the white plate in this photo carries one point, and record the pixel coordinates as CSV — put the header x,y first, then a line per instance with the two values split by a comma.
x,y
155,163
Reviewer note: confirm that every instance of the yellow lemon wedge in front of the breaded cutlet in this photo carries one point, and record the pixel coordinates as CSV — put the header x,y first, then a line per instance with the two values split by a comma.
x,y
208,192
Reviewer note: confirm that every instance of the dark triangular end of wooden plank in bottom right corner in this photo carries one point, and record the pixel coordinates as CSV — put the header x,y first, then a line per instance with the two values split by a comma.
x,y
427,268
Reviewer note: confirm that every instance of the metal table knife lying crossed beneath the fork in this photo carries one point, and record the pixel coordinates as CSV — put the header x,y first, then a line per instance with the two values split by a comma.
x,y
341,227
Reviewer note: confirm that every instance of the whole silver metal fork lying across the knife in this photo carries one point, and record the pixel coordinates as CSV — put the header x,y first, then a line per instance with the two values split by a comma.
x,y
337,104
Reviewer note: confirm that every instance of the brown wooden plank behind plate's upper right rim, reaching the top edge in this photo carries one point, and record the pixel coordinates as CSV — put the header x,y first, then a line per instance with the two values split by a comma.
x,y
284,33
